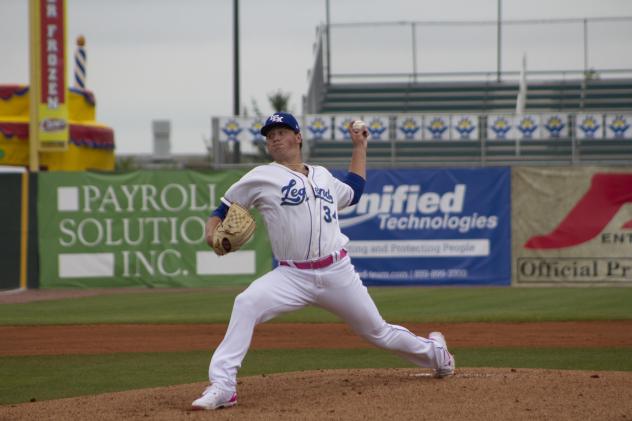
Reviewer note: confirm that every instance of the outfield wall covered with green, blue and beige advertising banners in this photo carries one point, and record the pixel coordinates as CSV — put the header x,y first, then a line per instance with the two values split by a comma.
x,y
522,226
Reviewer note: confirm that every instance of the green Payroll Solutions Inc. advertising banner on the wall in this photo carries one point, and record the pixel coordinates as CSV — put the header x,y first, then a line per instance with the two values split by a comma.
x,y
138,229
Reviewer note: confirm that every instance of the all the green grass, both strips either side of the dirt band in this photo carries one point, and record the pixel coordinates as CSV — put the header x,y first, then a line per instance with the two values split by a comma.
x,y
32,377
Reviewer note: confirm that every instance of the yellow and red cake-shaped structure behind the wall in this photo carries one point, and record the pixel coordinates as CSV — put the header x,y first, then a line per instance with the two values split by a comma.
x,y
91,145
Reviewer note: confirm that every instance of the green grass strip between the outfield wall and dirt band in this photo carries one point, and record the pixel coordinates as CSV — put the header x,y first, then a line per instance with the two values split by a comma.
x,y
405,304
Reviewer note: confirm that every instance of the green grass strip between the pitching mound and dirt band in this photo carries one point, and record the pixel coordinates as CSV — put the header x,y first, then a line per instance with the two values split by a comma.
x,y
52,377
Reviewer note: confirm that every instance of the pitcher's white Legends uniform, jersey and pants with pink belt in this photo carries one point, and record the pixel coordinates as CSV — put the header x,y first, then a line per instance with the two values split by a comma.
x,y
300,213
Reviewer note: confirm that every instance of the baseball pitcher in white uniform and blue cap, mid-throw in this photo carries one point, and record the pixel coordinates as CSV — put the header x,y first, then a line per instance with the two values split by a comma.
x,y
299,204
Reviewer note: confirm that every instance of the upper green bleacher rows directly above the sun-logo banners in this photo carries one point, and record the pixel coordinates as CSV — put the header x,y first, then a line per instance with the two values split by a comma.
x,y
477,97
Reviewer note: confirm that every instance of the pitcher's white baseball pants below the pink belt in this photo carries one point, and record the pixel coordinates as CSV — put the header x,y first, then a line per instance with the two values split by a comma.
x,y
336,288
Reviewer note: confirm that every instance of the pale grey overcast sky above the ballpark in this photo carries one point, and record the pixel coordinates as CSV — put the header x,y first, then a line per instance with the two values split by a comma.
x,y
168,59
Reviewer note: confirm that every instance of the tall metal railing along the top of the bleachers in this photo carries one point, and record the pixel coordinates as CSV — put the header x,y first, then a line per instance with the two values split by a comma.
x,y
423,62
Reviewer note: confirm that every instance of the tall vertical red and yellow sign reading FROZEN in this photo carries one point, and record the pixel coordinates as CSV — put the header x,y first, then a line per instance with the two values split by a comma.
x,y
48,73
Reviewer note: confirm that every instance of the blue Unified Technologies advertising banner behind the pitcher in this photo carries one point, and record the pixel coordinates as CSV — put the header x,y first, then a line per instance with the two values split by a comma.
x,y
432,227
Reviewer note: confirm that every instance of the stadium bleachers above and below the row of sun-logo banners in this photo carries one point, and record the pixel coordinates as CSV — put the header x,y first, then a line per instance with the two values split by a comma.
x,y
571,97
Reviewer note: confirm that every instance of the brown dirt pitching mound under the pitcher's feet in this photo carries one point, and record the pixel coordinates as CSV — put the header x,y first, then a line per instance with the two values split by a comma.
x,y
473,394
